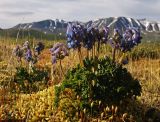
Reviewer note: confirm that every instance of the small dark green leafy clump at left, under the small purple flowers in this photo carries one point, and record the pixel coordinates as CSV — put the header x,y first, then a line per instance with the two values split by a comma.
x,y
30,81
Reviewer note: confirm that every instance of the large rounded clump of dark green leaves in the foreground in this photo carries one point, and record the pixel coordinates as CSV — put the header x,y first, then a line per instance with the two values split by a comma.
x,y
98,81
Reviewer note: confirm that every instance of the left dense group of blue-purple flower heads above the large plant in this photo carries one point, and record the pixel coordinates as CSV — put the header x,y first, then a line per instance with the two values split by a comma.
x,y
78,35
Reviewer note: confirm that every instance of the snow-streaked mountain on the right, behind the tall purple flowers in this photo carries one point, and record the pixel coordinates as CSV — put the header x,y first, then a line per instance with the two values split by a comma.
x,y
124,22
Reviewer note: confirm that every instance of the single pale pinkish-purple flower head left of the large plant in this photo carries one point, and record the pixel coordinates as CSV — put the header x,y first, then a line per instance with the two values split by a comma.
x,y
58,51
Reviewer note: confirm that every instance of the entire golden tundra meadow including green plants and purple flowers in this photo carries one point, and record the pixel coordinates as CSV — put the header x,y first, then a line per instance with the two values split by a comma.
x,y
96,75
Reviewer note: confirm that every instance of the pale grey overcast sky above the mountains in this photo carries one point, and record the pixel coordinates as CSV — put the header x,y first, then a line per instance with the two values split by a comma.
x,y
13,12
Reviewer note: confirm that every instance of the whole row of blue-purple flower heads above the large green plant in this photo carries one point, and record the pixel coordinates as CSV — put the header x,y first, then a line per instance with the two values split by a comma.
x,y
78,35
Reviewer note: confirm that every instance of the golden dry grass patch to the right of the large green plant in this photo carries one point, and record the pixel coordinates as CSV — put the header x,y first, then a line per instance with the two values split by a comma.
x,y
148,72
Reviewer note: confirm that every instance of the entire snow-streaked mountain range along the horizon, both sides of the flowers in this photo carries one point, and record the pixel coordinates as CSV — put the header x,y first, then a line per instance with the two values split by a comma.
x,y
51,26
